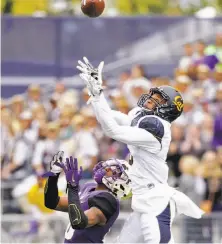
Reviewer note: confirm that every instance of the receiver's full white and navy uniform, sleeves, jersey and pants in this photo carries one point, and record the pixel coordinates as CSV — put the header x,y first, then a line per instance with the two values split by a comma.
x,y
148,139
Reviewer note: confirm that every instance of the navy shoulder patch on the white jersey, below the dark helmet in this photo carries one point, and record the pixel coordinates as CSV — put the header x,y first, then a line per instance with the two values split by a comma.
x,y
154,126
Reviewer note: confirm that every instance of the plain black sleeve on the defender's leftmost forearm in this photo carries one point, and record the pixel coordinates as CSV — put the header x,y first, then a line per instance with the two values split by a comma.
x,y
51,194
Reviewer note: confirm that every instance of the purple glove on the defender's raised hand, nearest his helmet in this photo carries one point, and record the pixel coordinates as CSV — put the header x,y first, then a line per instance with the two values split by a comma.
x,y
72,172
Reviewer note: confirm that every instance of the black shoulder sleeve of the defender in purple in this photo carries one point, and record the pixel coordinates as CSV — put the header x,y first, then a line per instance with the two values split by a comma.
x,y
106,202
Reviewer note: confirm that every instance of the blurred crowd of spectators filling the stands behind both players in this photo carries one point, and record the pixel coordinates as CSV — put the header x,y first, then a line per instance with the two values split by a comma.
x,y
35,125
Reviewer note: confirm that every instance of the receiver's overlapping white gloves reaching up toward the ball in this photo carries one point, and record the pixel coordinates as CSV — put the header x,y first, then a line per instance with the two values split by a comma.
x,y
91,76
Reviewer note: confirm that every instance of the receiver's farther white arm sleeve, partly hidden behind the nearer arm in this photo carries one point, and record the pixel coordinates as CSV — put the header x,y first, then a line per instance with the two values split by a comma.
x,y
120,118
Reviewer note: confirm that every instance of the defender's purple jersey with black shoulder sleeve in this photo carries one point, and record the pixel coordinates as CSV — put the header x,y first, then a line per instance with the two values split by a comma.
x,y
103,200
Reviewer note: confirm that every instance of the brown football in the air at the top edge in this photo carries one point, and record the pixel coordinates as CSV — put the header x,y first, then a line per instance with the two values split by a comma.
x,y
92,8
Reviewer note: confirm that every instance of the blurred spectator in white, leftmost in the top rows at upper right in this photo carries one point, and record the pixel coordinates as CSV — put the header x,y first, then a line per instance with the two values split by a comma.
x,y
187,58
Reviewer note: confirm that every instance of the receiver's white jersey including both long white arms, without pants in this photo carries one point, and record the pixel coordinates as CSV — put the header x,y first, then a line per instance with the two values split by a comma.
x,y
147,136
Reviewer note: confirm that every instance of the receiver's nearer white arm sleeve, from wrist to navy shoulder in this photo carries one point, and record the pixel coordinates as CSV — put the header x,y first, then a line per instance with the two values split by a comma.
x,y
129,135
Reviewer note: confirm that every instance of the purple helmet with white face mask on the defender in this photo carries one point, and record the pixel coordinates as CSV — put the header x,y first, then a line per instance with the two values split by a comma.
x,y
118,182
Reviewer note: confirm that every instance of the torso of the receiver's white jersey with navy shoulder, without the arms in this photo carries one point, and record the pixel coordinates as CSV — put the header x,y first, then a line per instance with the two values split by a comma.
x,y
149,162
